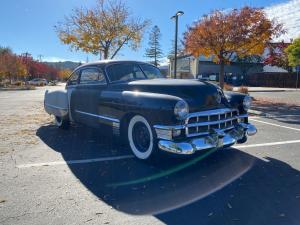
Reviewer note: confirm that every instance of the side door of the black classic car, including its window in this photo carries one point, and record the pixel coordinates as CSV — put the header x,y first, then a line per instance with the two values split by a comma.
x,y
86,97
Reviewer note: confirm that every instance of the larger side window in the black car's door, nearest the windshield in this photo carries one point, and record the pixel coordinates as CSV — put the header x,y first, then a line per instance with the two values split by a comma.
x,y
92,75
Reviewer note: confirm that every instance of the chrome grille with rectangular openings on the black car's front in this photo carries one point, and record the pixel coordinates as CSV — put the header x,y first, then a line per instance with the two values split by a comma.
x,y
201,123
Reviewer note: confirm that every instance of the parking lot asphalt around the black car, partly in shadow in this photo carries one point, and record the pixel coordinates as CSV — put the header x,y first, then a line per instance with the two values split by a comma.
x,y
84,176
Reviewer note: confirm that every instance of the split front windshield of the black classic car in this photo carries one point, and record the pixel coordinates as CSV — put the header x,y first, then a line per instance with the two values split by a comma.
x,y
127,72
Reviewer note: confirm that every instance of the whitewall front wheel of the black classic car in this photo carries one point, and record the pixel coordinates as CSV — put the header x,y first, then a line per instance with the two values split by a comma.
x,y
141,139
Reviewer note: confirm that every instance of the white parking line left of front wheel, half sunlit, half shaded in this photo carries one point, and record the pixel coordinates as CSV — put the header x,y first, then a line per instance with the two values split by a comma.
x,y
74,161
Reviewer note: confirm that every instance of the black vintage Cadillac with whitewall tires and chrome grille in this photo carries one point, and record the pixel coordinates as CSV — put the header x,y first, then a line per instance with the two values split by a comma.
x,y
150,112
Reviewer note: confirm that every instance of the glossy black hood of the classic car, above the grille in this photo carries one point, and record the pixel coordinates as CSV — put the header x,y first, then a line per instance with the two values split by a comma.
x,y
199,95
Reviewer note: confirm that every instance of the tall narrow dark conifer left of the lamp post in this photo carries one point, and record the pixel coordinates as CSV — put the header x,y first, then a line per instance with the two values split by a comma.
x,y
154,51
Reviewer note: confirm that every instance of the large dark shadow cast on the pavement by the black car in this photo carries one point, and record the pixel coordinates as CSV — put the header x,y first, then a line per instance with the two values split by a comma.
x,y
226,187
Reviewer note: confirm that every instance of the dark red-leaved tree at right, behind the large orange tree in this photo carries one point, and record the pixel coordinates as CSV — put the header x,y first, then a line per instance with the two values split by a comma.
x,y
277,56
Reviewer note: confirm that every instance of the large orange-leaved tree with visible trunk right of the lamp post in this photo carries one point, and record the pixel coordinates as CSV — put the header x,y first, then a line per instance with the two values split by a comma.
x,y
221,35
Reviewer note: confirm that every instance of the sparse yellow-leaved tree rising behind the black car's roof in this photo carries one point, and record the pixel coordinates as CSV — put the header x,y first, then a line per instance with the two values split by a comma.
x,y
103,30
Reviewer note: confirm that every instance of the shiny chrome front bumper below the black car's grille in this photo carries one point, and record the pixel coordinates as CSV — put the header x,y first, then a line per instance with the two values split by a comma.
x,y
217,139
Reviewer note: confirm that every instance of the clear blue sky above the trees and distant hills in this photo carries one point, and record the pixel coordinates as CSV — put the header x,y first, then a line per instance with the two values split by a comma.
x,y
28,25
